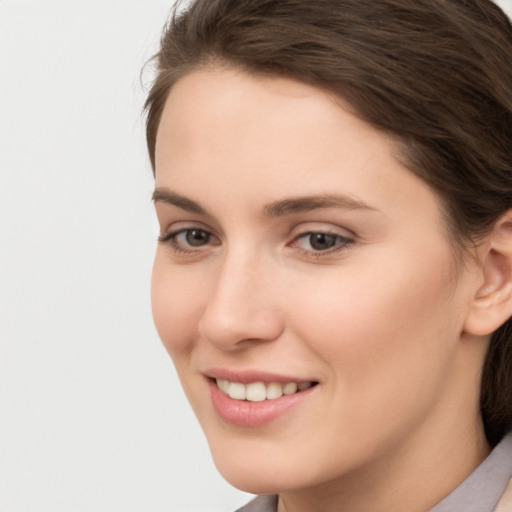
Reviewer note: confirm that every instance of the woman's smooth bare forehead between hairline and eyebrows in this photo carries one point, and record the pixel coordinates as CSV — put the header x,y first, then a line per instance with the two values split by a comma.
x,y
227,134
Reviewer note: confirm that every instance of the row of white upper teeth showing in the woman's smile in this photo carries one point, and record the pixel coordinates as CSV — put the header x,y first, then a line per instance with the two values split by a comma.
x,y
258,391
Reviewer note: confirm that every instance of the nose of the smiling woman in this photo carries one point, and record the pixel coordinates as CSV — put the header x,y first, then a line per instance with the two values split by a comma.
x,y
242,307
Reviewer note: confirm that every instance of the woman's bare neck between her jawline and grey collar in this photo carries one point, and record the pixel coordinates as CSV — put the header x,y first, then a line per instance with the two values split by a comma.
x,y
413,473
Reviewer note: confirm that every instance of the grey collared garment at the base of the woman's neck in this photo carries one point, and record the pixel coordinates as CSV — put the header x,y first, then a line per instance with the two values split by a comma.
x,y
480,492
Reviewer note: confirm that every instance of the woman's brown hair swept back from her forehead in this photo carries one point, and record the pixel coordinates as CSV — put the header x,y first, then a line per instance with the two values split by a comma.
x,y
436,74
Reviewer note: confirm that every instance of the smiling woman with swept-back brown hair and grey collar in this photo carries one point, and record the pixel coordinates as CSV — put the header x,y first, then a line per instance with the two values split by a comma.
x,y
333,278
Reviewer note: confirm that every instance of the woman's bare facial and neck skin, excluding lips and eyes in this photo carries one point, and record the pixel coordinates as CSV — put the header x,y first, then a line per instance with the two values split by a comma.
x,y
379,320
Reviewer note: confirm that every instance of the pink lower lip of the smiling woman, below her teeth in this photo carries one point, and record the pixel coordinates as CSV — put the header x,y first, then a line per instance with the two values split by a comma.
x,y
244,413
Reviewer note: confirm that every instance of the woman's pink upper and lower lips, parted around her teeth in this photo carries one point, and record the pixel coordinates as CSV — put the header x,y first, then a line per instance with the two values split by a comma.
x,y
244,413
